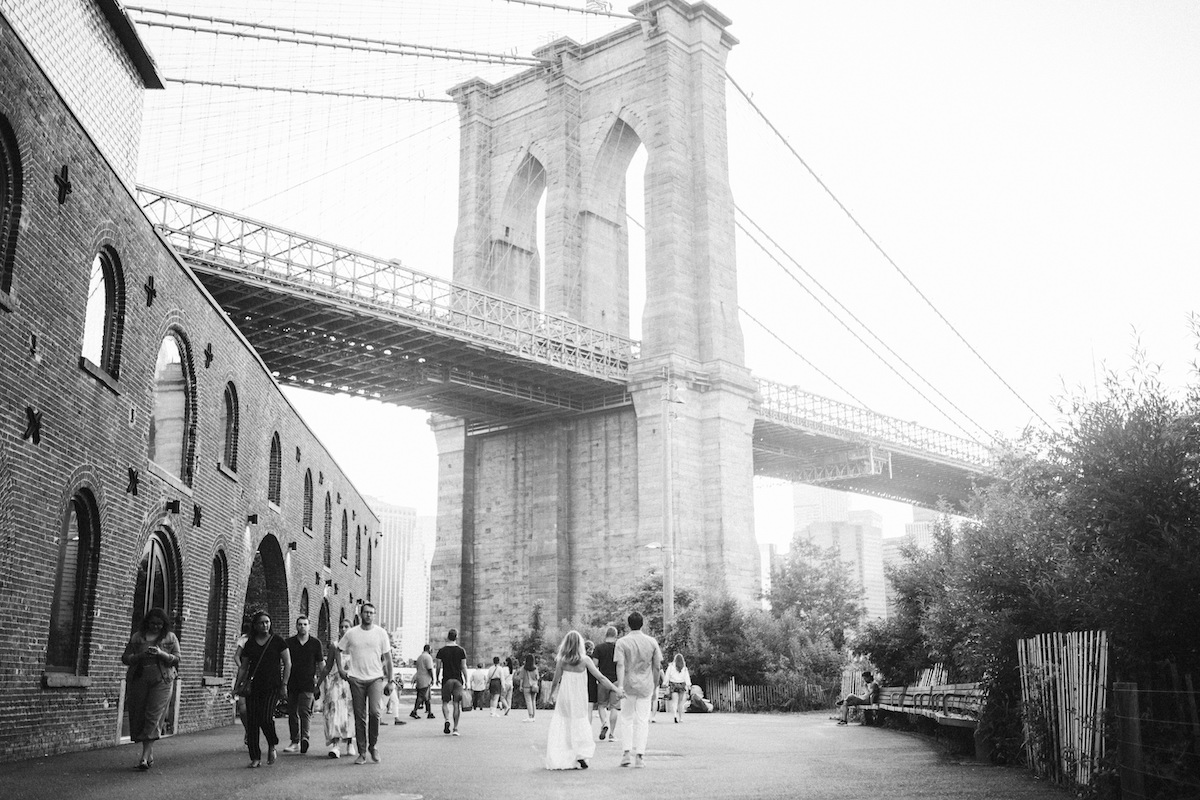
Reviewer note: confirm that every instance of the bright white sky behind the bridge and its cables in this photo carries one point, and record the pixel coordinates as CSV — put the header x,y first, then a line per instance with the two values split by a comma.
x,y
1031,169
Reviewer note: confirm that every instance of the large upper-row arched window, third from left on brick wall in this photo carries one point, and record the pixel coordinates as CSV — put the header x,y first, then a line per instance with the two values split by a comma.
x,y
172,424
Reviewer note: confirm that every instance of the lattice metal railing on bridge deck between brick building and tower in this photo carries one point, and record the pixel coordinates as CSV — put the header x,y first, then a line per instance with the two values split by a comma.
x,y
266,254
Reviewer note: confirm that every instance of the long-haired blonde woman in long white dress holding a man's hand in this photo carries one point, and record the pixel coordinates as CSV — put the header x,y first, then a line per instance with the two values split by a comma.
x,y
569,743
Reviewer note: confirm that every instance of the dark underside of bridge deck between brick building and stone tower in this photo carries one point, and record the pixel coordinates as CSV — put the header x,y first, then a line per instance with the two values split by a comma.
x,y
337,346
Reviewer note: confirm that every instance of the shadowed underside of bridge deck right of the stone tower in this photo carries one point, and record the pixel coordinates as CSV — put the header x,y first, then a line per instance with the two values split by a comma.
x,y
802,456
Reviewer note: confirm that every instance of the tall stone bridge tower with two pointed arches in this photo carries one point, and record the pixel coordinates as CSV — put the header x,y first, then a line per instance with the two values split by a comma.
x,y
556,510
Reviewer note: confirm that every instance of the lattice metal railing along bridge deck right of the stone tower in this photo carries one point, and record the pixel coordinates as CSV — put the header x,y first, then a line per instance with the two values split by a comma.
x,y
796,408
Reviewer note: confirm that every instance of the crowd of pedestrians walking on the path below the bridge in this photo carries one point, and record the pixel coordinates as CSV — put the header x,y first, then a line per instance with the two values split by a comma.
x,y
620,682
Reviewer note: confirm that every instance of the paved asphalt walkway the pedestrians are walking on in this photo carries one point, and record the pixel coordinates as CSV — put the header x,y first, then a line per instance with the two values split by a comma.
x,y
706,756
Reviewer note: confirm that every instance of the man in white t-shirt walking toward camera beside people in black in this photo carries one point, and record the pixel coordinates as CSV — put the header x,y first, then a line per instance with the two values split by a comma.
x,y
369,649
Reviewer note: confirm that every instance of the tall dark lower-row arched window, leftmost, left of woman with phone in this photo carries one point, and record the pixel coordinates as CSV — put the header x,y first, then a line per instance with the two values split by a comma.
x,y
75,593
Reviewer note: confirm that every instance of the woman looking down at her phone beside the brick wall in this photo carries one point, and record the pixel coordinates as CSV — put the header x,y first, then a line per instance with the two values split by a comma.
x,y
152,657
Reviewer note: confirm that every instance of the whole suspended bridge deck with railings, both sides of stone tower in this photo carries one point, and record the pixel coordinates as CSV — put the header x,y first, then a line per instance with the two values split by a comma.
x,y
337,321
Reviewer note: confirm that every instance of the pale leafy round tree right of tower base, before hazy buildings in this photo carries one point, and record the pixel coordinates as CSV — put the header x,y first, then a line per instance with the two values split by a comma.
x,y
817,586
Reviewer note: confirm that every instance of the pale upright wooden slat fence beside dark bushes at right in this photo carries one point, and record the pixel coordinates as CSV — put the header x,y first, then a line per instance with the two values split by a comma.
x,y
1064,694
